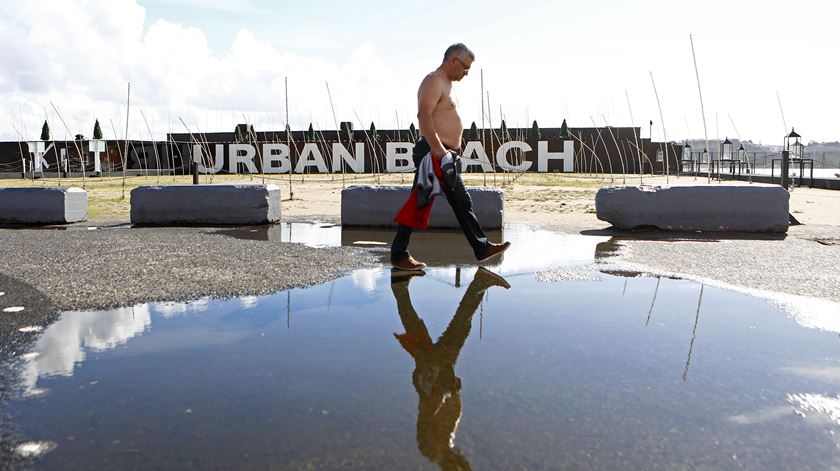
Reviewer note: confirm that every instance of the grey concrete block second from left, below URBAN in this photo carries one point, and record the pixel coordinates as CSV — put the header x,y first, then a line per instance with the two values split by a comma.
x,y
163,205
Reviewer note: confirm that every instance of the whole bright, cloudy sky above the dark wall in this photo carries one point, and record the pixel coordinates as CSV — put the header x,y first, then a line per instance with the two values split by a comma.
x,y
204,66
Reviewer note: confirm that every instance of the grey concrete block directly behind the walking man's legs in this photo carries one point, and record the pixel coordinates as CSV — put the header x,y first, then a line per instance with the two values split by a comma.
x,y
368,205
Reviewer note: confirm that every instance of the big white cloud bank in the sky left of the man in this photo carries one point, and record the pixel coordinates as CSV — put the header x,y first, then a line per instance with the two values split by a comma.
x,y
82,55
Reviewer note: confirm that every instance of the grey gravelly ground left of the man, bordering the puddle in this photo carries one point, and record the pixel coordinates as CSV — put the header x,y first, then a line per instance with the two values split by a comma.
x,y
80,268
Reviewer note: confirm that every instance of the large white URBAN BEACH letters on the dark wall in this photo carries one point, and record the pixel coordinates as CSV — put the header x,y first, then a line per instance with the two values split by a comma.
x,y
278,158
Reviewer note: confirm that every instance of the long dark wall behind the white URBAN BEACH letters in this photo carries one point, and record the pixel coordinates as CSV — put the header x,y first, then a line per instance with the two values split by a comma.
x,y
597,150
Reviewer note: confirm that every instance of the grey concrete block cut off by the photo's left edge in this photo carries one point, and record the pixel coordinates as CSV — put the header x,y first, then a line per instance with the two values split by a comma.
x,y
42,205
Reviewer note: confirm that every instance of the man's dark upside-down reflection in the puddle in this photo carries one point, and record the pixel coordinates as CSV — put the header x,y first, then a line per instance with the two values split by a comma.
x,y
439,390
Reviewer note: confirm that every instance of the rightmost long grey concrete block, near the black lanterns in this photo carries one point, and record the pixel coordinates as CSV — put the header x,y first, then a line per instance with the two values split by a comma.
x,y
721,208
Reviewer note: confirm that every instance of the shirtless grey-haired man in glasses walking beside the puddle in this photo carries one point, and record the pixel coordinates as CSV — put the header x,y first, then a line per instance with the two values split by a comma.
x,y
441,131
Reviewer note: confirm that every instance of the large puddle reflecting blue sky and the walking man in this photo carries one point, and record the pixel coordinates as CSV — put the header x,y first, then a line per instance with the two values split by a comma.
x,y
555,364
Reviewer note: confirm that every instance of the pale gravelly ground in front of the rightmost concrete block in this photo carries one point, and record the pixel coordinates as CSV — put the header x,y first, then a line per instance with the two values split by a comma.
x,y
804,262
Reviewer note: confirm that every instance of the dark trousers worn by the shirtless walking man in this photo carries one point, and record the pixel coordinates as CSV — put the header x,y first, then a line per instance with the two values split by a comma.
x,y
461,204
